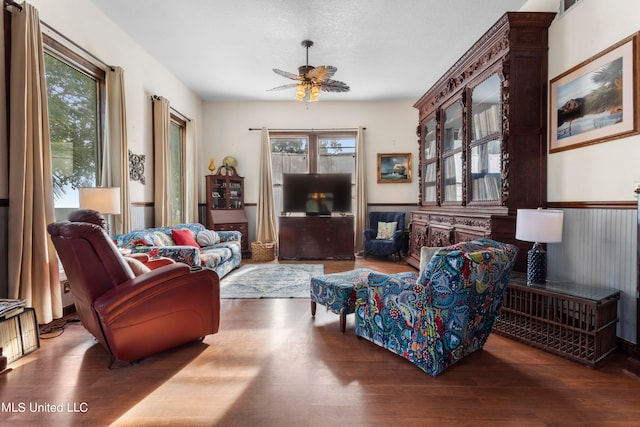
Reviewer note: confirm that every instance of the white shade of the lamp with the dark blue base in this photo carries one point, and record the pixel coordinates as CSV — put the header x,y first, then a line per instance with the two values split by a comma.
x,y
539,225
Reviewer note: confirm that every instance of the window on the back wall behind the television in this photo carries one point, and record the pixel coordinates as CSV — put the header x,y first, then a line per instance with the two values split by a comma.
x,y
312,152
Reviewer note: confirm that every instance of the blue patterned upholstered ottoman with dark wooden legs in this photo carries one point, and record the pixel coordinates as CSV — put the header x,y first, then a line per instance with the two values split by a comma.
x,y
337,292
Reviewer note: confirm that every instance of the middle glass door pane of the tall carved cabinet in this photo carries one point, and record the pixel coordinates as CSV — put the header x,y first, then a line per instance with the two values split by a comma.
x,y
452,153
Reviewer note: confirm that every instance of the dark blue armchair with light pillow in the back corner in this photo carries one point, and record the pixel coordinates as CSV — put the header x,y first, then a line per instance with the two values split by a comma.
x,y
382,244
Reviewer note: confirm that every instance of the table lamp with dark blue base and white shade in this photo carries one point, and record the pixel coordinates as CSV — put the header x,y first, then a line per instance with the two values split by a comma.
x,y
538,226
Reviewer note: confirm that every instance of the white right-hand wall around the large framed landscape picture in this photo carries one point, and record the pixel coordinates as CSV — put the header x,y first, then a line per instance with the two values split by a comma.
x,y
607,171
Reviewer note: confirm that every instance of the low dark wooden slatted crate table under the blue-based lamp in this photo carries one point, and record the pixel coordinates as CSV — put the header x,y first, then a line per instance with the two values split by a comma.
x,y
571,320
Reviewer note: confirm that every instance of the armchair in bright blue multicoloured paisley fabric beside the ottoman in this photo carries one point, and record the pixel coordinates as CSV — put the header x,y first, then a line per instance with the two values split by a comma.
x,y
447,314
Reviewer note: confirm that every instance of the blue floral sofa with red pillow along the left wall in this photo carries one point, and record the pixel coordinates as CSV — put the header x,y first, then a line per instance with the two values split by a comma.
x,y
222,256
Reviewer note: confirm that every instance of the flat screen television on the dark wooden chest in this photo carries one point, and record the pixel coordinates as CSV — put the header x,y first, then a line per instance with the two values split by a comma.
x,y
316,193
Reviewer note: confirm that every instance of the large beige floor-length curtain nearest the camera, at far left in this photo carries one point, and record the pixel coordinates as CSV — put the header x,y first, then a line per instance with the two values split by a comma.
x,y
33,263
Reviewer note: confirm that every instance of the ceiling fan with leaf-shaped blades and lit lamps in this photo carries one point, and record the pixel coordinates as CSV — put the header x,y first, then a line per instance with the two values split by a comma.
x,y
312,80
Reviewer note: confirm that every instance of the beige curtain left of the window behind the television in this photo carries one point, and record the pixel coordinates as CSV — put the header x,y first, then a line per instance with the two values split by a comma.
x,y
266,231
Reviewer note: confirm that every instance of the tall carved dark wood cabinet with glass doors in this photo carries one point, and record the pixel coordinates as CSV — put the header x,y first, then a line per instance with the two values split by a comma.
x,y
483,139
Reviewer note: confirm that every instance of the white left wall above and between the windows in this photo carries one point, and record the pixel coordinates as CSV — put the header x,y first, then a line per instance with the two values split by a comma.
x,y
87,26
